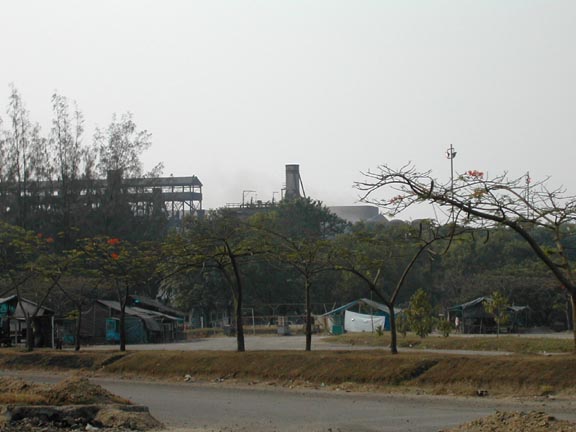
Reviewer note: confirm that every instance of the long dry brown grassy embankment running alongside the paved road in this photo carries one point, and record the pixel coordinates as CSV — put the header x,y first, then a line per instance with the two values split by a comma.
x,y
430,373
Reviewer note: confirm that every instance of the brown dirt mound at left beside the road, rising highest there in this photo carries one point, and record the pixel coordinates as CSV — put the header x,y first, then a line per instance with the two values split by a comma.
x,y
80,391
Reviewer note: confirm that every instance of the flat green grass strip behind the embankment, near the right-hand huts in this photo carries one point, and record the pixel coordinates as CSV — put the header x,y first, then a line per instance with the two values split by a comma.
x,y
516,344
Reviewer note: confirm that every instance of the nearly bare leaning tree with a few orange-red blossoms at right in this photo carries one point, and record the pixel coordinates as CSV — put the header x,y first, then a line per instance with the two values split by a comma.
x,y
478,201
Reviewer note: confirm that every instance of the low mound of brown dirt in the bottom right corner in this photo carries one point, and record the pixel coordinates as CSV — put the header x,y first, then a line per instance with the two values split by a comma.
x,y
516,422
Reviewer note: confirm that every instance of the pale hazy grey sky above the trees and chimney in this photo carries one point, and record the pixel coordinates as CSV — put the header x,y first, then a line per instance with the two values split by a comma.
x,y
233,90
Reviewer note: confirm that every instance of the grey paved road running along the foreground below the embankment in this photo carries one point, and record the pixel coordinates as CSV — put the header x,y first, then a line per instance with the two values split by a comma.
x,y
219,407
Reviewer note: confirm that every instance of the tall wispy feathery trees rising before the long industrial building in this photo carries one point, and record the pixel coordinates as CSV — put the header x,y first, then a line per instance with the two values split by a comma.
x,y
34,164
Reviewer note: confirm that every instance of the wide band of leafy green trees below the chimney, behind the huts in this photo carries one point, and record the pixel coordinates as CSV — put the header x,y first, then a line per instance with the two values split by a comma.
x,y
297,252
